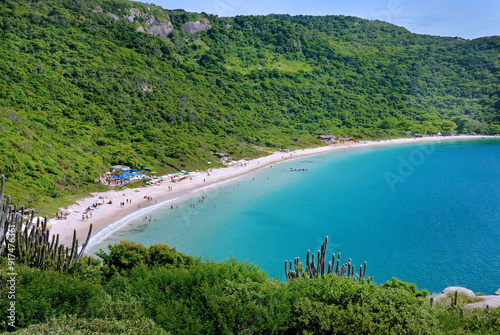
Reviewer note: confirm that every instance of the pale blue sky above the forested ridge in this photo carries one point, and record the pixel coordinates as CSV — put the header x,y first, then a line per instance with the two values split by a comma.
x,y
455,18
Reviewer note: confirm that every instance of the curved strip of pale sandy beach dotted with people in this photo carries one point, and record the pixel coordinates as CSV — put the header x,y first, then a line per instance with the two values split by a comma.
x,y
136,199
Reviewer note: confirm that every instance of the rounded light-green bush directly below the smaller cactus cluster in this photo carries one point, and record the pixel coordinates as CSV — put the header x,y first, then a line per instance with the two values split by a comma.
x,y
337,305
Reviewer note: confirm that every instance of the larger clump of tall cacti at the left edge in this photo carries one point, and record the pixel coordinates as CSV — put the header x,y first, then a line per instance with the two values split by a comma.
x,y
32,241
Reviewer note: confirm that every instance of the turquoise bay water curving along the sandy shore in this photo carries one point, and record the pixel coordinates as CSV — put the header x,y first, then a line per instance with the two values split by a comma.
x,y
427,214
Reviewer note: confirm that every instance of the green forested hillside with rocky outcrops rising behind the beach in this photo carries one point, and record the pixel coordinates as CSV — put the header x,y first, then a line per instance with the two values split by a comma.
x,y
86,84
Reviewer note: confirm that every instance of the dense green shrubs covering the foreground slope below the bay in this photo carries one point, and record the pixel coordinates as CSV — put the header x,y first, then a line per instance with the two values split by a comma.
x,y
157,290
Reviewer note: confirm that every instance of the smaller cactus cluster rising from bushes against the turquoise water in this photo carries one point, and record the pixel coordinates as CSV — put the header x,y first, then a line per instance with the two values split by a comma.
x,y
317,269
